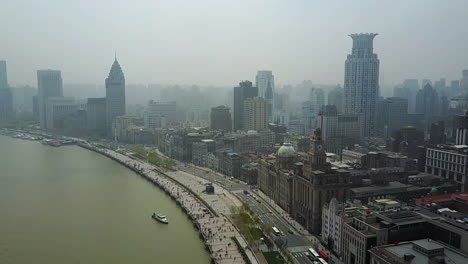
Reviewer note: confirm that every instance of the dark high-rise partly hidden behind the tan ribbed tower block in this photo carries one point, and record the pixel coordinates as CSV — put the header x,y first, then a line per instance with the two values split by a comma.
x,y
241,93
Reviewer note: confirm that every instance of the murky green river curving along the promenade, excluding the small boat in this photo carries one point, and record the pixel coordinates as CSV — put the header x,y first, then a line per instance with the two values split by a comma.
x,y
71,205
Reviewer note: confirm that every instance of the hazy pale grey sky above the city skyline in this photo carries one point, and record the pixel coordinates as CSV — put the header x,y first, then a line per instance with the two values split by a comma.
x,y
221,42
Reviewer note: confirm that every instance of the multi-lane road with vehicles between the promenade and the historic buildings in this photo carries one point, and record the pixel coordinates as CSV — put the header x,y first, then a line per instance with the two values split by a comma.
x,y
296,244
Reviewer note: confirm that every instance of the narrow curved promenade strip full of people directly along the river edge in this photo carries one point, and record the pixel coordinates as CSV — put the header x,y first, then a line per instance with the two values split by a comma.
x,y
216,231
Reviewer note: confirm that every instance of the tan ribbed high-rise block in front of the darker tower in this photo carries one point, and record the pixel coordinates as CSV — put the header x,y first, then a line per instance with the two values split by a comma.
x,y
255,115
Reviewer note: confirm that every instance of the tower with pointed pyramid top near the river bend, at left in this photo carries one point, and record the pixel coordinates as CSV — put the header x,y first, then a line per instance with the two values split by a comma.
x,y
115,94
